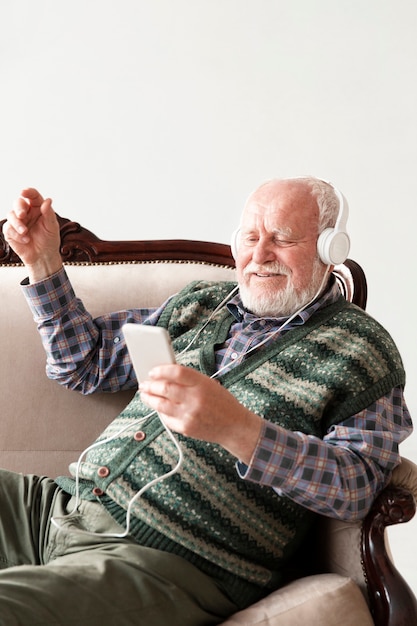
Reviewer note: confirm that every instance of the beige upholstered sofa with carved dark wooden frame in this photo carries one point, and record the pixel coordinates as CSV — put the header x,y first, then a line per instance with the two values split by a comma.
x,y
350,578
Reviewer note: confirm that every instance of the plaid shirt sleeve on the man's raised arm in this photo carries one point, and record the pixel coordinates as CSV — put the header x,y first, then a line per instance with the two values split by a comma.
x,y
82,353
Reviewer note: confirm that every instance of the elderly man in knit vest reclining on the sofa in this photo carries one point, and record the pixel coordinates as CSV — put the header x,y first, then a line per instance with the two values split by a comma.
x,y
307,419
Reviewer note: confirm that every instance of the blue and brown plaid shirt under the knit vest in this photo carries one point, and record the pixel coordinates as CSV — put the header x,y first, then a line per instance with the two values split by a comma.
x,y
336,476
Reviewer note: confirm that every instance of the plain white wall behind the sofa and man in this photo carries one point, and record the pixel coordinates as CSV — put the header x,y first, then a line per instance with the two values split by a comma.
x,y
155,119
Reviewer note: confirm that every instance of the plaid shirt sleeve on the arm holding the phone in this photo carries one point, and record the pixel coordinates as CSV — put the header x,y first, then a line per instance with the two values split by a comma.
x,y
339,475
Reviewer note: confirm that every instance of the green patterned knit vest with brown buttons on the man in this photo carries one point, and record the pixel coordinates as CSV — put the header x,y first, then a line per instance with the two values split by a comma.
x,y
336,364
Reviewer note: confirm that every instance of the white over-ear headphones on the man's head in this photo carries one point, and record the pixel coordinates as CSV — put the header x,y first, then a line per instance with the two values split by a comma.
x,y
333,244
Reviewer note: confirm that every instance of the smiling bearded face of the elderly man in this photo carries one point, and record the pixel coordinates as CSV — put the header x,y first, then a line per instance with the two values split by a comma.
x,y
277,264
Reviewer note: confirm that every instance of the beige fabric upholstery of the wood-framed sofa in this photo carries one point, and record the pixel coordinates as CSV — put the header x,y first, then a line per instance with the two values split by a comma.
x,y
44,427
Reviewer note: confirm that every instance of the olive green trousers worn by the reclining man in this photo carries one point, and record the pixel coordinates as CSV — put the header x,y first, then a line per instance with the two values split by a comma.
x,y
71,576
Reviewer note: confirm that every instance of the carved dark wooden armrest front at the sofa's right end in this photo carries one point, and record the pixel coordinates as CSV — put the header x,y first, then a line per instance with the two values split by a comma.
x,y
391,600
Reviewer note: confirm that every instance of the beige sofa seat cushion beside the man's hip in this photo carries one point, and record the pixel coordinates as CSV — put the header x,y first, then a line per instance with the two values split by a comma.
x,y
314,600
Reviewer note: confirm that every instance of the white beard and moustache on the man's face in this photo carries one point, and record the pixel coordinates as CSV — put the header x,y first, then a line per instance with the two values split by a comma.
x,y
285,301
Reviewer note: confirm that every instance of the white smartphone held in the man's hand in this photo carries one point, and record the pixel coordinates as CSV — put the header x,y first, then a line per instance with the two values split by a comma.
x,y
148,346
